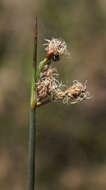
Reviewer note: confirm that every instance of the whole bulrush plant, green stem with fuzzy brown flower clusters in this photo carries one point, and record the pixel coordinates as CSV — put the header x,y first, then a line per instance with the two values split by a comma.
x,y
47,87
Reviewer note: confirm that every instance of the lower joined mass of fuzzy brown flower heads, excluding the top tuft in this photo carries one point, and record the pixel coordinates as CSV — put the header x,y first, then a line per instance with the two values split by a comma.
x,y
49,88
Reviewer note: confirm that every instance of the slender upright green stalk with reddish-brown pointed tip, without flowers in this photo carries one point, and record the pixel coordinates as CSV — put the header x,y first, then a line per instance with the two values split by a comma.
x,y
32,127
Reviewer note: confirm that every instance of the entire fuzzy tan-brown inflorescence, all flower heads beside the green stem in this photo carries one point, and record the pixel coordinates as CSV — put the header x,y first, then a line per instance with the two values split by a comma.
x,y
48,86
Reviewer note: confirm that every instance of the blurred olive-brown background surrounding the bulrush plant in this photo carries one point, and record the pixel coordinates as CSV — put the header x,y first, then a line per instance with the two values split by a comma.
x,y
71,139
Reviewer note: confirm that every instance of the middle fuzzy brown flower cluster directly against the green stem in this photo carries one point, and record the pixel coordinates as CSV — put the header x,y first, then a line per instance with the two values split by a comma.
x,y
47,85
